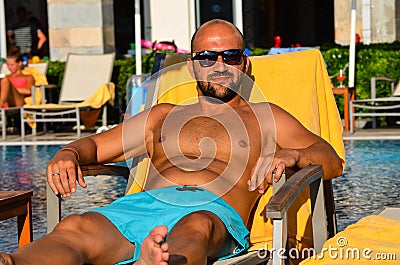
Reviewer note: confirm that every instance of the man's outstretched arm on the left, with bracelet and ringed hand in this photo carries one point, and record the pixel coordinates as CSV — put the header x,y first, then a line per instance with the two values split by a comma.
x,y
115,145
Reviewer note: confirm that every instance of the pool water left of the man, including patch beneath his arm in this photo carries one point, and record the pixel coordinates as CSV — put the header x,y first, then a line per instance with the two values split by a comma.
x,y
24,168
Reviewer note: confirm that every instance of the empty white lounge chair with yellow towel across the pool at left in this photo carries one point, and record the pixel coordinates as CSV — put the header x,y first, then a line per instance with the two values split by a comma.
x,y
84,74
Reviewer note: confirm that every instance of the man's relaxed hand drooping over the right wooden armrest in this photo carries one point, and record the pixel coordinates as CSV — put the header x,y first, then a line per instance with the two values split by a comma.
x,y
269,166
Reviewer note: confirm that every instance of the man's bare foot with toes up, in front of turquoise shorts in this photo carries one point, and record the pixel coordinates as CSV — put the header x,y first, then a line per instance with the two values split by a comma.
x,y
153,250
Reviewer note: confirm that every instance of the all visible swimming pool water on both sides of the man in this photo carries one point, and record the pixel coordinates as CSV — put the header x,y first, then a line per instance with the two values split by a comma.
x,y
371,180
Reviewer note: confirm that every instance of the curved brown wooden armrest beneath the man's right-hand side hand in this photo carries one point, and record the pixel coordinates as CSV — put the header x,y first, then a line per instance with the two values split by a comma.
x,y
291,189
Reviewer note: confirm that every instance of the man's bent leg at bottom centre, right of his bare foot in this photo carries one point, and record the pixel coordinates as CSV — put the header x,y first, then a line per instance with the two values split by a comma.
x,y
197,237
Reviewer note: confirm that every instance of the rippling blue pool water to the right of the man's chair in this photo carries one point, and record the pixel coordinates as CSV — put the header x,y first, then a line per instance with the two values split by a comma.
x,y
370,181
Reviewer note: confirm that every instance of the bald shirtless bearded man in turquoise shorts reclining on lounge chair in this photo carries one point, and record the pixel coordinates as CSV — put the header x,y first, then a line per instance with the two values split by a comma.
x,y
217,145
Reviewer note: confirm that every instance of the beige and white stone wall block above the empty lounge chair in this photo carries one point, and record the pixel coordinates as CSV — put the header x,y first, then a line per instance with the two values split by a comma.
x,y
84,26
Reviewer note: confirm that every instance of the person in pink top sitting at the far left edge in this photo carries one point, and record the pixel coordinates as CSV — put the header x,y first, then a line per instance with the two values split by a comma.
x,y
15,86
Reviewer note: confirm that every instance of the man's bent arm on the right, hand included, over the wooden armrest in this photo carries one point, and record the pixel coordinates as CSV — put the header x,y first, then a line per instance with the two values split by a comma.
x,y
296,147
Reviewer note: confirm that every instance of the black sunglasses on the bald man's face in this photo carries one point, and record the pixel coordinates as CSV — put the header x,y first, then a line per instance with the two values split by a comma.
x,y
208,58
